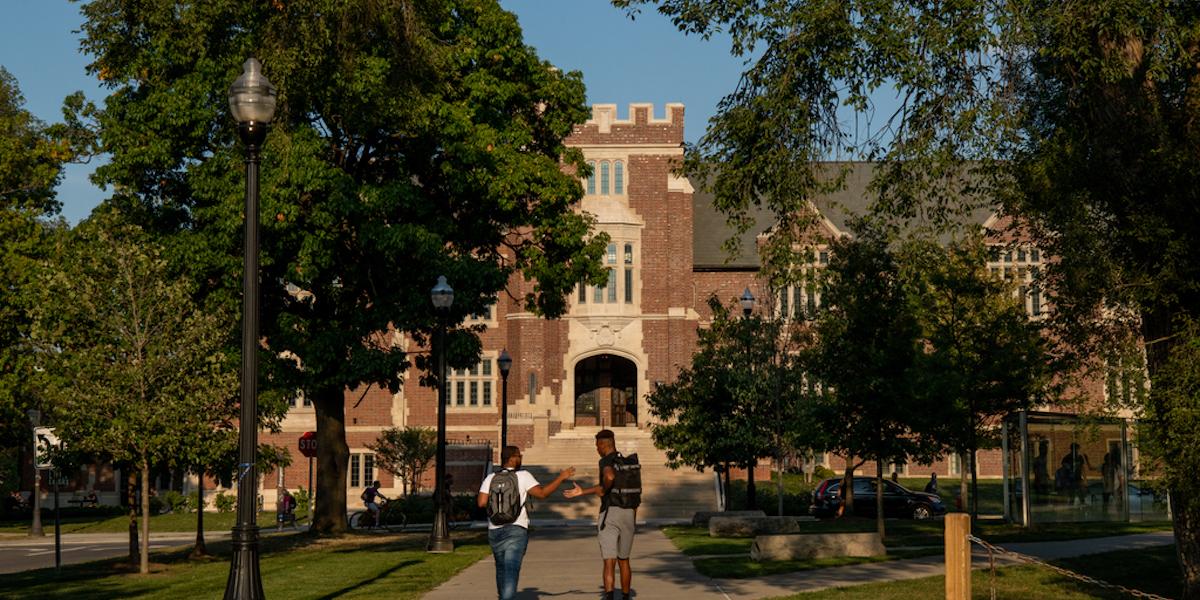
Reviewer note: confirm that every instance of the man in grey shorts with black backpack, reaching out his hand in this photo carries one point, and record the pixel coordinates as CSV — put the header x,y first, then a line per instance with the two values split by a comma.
x,y
621,494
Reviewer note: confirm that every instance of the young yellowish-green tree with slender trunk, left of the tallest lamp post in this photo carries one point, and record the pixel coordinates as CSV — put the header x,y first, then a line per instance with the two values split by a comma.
x,y
133,370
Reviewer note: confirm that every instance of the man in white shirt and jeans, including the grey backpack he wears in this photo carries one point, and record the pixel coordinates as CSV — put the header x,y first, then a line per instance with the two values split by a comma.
x,y
505,495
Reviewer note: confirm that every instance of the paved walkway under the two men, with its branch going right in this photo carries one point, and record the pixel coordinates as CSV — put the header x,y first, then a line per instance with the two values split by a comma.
x,y
566,563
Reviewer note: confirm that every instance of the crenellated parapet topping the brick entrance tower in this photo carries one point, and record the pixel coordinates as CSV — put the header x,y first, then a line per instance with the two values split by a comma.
x,y
641,128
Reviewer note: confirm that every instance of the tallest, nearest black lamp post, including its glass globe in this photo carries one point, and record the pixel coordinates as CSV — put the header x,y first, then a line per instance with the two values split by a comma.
x,y
253,104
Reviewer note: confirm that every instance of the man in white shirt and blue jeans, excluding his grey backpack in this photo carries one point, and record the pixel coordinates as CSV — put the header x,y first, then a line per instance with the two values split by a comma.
x,y
509,542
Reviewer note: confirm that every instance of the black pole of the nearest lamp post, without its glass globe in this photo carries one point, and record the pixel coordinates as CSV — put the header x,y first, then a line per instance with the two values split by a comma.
x,y
245,580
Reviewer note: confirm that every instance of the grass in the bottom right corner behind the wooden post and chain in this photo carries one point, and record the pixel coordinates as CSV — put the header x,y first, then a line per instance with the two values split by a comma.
x,y
1151,571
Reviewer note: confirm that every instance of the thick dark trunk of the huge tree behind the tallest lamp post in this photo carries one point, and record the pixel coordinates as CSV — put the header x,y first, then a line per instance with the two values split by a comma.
x,y
333,459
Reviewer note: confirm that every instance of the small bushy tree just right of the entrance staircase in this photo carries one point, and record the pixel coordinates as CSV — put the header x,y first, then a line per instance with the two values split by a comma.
x,y
735,404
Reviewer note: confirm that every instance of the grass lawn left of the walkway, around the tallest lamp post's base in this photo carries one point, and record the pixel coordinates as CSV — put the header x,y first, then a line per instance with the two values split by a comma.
x,y
296,567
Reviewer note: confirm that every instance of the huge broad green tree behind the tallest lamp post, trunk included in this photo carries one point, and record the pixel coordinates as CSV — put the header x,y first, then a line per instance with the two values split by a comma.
x,y
412,140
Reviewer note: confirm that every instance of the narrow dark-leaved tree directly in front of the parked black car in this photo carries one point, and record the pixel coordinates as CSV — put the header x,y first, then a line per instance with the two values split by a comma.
x,y
868,345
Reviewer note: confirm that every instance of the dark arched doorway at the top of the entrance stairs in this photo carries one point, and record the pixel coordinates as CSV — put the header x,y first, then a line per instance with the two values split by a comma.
x,y
605,392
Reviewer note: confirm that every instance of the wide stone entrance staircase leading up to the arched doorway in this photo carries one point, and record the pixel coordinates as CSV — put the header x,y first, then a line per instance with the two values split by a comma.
x,y
667,494
